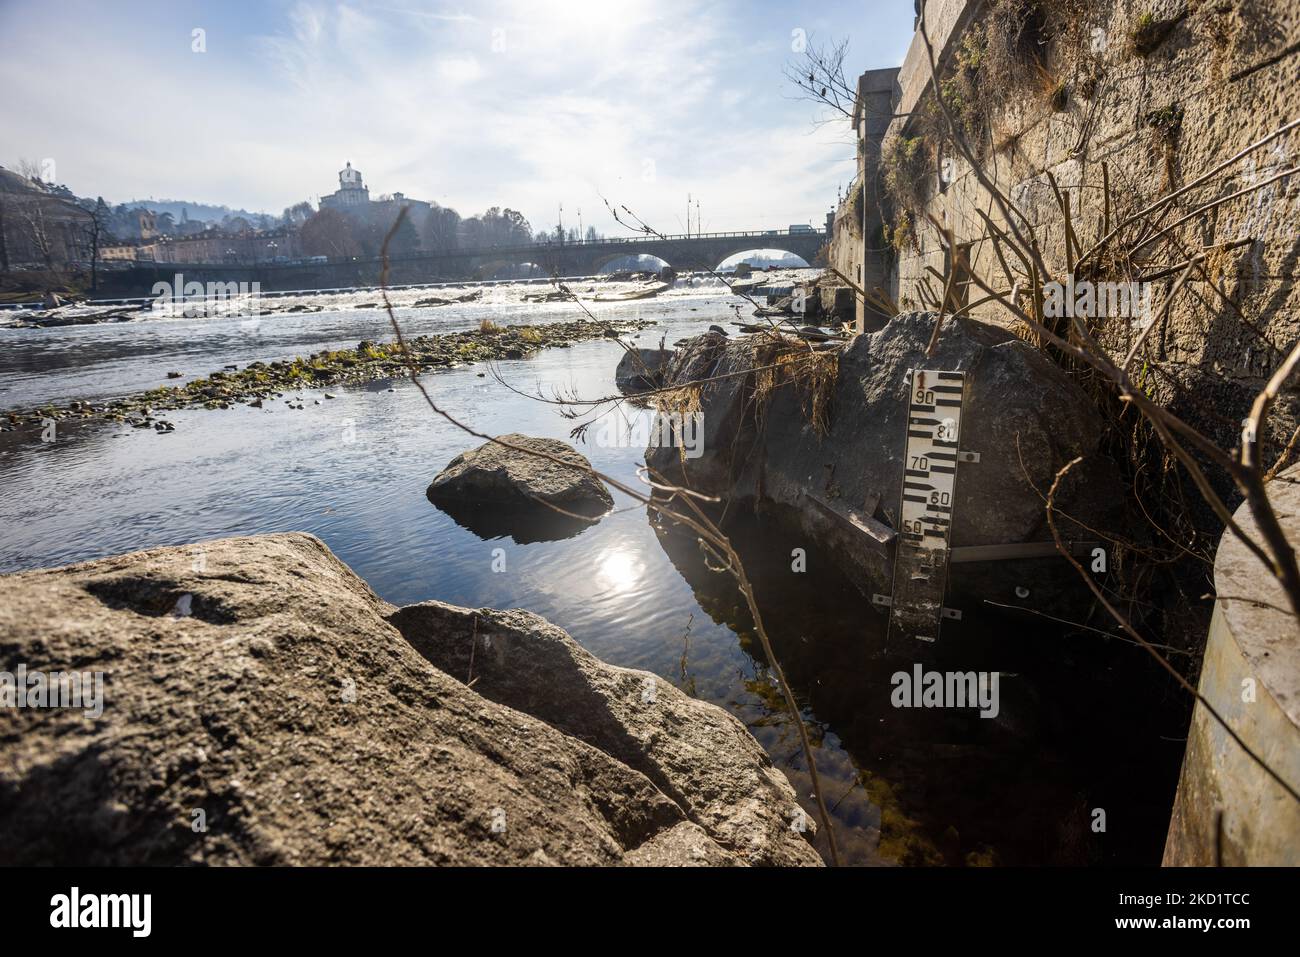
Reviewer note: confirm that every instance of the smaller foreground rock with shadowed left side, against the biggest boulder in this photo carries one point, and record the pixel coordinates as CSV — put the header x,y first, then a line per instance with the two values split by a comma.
x,y
692,751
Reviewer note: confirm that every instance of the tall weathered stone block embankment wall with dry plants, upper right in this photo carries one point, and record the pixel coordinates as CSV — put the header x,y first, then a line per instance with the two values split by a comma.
x,y
1132,99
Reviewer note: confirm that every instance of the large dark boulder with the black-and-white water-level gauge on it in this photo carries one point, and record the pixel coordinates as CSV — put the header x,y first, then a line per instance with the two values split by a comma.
x,y
1022,414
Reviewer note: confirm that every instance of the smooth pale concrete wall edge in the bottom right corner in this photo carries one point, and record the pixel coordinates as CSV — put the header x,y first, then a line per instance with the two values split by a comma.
x,y
1229,811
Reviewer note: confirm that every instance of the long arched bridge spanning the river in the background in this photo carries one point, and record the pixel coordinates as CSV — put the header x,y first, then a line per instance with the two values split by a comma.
x,y
695,253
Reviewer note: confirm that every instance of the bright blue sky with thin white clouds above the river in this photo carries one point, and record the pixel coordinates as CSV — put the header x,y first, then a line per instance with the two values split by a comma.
x,y
517,103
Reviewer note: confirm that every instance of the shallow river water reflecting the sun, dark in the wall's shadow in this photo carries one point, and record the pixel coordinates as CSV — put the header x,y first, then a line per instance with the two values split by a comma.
x,y
1085,726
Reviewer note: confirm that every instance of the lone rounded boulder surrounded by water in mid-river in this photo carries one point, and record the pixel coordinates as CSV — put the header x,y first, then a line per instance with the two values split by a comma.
x,y
517,479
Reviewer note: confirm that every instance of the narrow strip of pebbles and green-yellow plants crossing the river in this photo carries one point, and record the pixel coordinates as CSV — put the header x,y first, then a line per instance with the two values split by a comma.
x,y
263,383
